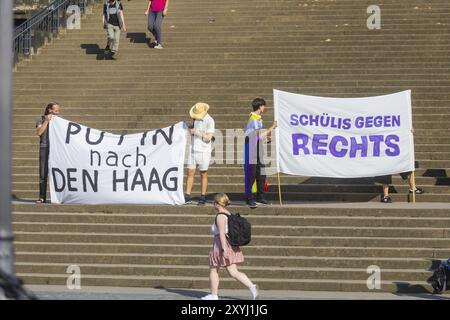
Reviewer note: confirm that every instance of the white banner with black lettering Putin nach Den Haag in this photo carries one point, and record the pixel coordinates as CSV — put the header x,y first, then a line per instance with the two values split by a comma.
x,y
89,166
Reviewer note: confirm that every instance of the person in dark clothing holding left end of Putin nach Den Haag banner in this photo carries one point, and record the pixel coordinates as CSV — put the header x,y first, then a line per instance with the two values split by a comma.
x,y
42,123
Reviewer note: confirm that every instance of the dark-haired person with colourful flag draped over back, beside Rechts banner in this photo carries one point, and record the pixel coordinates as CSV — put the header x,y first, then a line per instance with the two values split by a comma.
x,y
254,163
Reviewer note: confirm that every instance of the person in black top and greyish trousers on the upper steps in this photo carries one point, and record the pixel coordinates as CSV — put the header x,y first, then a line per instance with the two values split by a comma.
x,y
113,23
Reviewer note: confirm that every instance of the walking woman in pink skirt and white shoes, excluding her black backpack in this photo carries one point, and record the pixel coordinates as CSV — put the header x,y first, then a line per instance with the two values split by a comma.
x,y
223,254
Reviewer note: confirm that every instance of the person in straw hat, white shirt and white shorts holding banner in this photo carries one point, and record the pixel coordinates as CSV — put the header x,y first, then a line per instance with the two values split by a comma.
x,y
202,133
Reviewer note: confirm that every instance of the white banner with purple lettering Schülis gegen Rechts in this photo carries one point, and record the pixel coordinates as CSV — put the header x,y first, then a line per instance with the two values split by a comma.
x,y
344,138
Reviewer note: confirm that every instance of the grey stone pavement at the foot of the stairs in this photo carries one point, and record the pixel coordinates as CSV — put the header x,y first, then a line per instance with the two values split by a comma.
x,y
44,292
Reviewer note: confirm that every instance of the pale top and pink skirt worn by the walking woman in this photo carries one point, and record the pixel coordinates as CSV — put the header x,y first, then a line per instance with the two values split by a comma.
x,y
216,258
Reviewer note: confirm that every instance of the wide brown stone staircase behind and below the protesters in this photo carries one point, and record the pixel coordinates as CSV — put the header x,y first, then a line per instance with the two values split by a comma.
x,y
226,54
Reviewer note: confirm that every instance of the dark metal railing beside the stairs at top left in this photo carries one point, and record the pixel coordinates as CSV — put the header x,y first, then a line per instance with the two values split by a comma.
x,y
48,20
